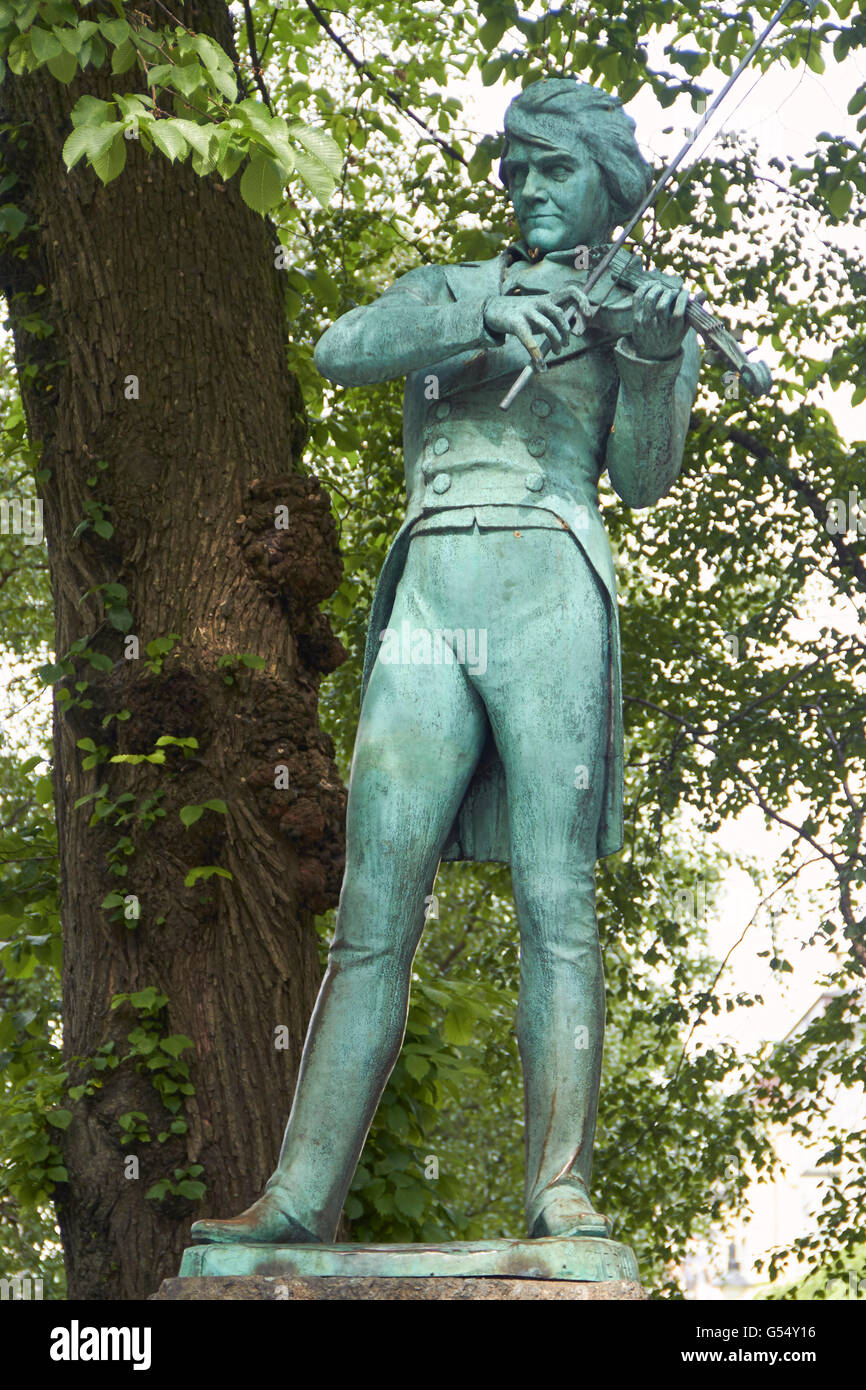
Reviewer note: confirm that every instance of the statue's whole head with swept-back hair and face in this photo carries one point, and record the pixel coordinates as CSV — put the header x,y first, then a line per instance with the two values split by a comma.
x,y
571,165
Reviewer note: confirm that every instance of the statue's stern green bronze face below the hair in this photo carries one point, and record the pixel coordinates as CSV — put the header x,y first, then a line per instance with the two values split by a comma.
x,y
559,197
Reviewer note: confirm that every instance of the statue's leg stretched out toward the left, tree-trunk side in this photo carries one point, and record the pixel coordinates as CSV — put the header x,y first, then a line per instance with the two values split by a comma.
x,y
420,736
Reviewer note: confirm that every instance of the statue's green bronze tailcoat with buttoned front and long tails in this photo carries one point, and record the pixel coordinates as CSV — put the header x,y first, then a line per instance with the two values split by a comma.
x,y
597,407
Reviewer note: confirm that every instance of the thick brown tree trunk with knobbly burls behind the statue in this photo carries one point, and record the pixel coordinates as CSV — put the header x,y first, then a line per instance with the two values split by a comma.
x,y
169,279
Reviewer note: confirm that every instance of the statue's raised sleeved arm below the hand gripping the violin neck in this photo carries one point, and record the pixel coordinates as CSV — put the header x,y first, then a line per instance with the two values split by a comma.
x,y
654,407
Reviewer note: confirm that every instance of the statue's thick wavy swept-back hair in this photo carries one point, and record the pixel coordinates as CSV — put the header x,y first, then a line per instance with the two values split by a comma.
x,y
562,113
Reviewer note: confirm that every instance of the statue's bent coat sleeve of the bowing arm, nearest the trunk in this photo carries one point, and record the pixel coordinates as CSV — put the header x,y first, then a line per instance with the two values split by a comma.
x,y
414,325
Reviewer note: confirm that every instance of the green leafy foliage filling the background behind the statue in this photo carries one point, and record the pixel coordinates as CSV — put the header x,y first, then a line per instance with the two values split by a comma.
x,y
730,701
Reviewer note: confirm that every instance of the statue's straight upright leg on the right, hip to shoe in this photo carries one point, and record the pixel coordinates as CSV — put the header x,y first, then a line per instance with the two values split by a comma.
x,y
550,715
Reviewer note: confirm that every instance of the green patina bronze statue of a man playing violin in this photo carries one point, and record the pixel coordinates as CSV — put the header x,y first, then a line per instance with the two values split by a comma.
x,y
491,715
